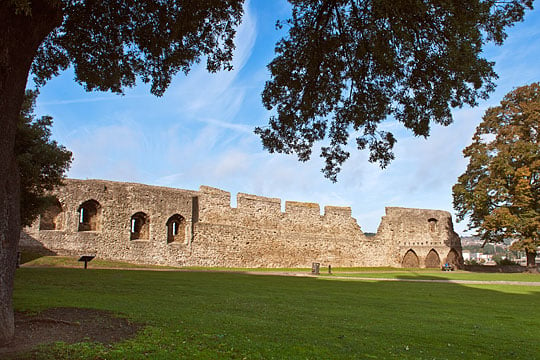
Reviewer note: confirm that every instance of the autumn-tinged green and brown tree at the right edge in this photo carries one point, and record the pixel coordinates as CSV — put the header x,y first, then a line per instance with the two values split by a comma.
x,y
500,189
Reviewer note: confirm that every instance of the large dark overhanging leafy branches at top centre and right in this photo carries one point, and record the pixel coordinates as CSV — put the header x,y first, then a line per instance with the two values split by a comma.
x,y
347,65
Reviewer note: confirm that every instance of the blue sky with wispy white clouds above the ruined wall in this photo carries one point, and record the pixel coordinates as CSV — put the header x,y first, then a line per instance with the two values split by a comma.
x,y
201,132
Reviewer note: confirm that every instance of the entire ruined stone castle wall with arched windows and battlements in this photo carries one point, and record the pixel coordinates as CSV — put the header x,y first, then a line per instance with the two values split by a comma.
x,y
157,225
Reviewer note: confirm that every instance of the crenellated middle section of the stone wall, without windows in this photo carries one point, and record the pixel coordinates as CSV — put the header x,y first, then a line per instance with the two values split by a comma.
x,y
258,234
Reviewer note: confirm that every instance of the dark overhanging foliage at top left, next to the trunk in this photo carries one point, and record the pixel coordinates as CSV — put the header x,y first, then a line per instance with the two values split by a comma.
x,y
111,43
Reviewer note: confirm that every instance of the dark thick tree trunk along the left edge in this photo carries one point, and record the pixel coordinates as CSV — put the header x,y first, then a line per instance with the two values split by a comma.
x,y
20,37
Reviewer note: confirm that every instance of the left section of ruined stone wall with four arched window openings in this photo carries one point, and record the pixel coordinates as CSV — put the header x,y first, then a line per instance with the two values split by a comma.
x,y
111,237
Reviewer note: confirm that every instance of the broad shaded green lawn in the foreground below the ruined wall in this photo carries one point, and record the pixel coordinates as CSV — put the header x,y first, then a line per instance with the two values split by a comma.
x,y
209,315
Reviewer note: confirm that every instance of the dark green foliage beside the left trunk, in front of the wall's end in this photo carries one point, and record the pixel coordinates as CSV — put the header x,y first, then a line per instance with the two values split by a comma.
x,y
42,162
